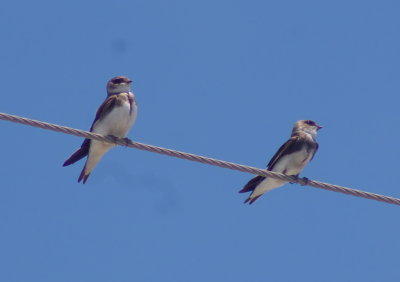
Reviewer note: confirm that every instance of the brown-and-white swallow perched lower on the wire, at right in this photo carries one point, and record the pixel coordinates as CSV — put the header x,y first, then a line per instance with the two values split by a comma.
x,y
290,159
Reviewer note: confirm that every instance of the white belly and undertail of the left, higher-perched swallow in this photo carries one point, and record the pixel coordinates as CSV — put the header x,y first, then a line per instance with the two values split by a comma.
x,y
118,122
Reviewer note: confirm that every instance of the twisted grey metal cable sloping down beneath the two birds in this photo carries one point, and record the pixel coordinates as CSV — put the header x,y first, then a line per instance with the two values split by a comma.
x,y
192,157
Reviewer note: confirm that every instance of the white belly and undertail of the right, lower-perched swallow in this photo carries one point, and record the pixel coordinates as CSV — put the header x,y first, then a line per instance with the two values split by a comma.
x,y
291,164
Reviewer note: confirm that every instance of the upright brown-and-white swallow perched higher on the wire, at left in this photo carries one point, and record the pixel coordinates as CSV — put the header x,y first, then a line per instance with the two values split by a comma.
x,y
114,117
